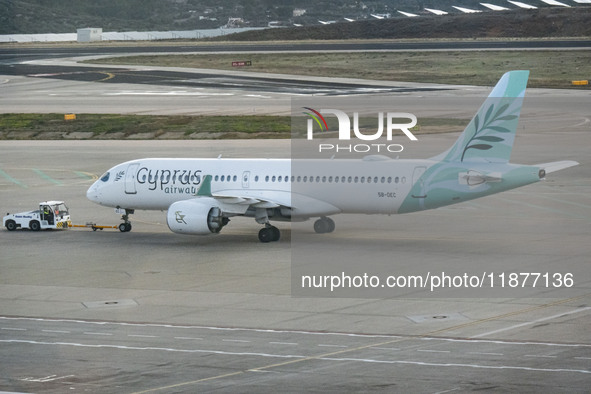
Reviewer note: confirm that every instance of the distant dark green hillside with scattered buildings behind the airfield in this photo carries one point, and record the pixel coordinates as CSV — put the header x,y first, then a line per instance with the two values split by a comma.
x,y
65,16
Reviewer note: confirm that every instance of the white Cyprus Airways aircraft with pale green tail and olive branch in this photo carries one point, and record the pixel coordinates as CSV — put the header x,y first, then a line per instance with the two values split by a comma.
x,y
201,195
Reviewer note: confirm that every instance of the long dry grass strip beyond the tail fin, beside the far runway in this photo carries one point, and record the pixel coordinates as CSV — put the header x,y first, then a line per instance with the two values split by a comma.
x,y
549,69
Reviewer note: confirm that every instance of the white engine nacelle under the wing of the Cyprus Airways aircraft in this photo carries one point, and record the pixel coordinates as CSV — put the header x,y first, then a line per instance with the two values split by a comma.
x,y
200,216
